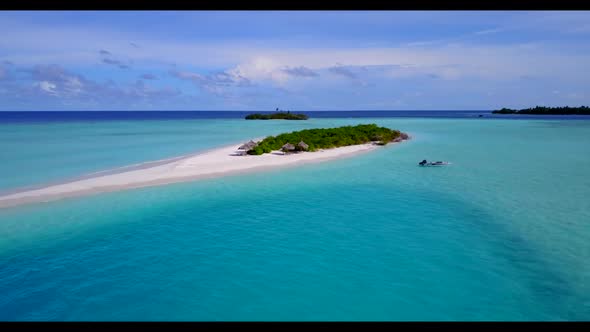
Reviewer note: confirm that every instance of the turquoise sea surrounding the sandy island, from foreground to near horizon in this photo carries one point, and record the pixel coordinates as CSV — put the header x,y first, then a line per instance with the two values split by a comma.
x,y
502,234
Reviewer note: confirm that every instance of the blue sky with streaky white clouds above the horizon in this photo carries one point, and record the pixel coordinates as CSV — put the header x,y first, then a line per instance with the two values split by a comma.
x,y
295,60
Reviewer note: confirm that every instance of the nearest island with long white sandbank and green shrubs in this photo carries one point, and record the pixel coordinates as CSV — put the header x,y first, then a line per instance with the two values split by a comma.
x,y
332,142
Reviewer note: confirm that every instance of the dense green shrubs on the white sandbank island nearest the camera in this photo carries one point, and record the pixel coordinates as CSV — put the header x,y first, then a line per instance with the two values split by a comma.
x,y
329,138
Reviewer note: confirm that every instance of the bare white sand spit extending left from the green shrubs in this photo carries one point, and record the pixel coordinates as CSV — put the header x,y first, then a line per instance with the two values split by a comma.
x,y
209,164
